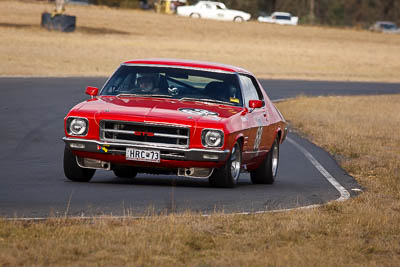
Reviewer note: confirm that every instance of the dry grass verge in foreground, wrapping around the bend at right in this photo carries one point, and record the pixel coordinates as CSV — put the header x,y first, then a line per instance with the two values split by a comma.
x,y
364,231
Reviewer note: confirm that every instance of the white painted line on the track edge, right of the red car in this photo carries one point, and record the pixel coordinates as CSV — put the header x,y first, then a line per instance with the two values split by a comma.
x,y
344,194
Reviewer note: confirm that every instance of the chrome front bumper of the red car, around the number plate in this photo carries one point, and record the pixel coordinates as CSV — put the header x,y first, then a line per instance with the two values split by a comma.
x,y
167,153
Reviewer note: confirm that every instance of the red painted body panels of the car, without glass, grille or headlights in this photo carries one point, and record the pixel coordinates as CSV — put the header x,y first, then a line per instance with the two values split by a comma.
x,y
236,122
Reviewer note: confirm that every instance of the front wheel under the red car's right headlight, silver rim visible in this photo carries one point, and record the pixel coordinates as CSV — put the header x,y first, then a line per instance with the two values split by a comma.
x,y
228,175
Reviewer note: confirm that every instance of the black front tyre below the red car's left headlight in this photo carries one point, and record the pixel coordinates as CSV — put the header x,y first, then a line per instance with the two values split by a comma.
x,y
72,170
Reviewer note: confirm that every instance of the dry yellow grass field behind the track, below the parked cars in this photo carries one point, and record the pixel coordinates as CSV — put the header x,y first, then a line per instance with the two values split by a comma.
x,y
105,37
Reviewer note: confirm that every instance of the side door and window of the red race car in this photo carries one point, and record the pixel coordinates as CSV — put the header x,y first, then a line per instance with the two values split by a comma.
x,y
256,141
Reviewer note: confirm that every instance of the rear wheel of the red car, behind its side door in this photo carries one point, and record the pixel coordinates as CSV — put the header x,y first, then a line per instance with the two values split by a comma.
x,y
266,172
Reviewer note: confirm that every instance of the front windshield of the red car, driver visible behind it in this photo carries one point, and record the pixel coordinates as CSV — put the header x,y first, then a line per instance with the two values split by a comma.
x,y
183,84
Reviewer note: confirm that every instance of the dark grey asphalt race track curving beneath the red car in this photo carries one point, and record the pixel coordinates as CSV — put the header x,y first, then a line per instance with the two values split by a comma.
x,y
32,183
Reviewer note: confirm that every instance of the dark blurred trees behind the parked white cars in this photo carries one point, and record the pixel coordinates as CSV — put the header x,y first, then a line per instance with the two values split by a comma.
x,y
361,13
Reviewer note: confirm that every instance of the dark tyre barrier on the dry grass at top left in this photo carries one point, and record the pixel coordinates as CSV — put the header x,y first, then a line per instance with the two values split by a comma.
x,y
62,23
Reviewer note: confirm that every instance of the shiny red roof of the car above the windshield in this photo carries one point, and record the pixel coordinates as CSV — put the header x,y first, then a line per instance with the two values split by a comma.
x,y
180,63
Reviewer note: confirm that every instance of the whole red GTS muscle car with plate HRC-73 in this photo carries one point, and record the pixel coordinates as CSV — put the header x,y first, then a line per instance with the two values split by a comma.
x,y
189,118
